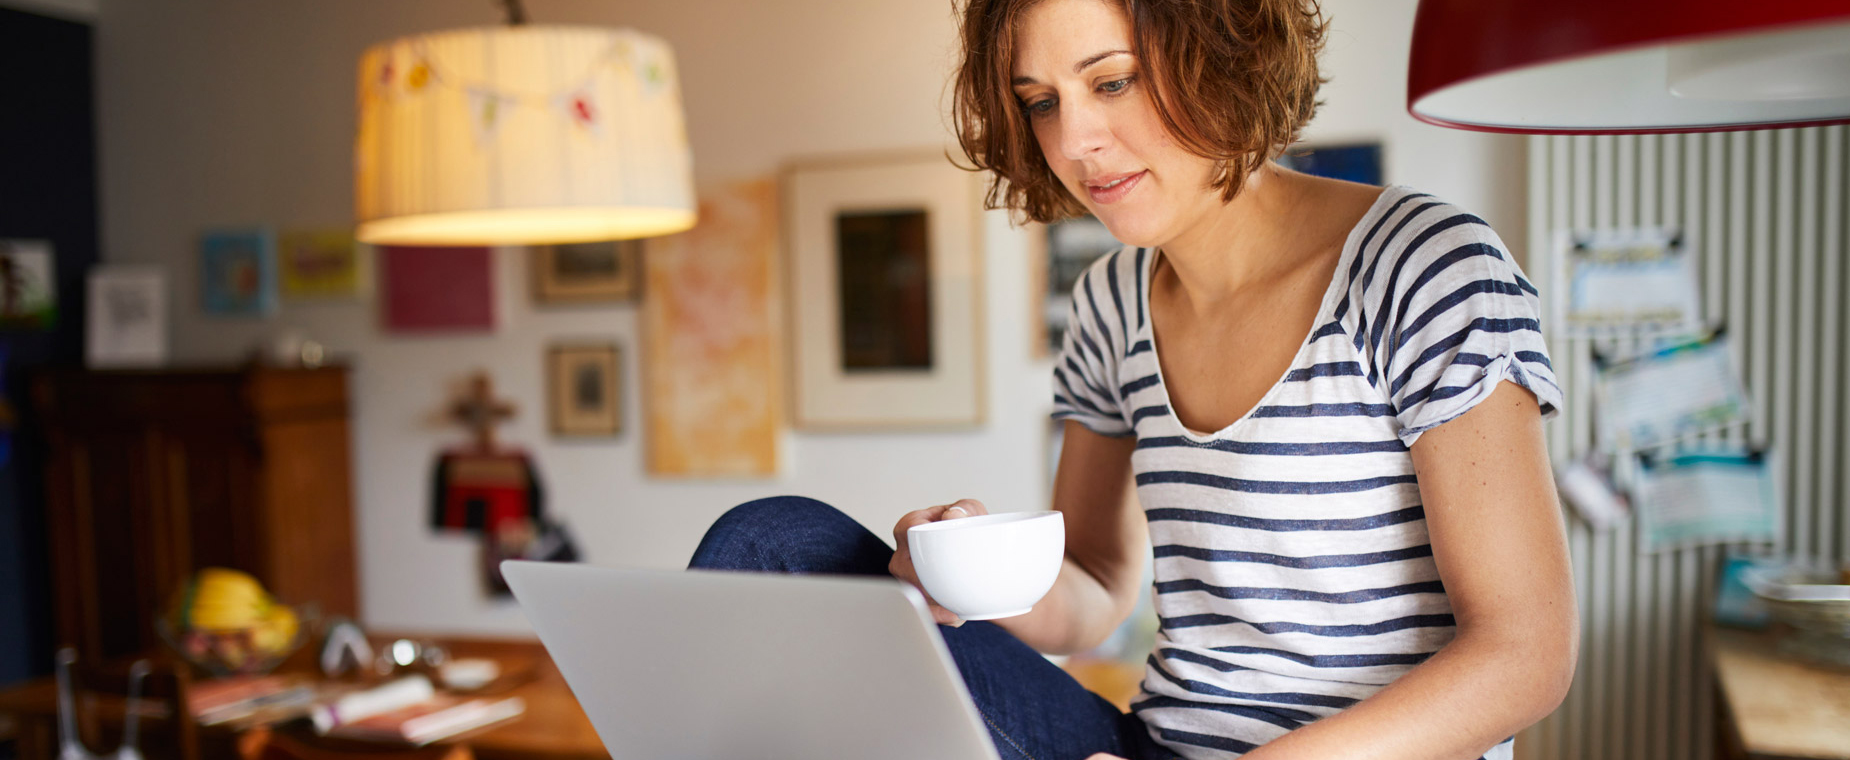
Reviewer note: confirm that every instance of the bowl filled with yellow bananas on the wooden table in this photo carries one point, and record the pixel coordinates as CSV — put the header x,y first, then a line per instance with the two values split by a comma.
x,y
227,624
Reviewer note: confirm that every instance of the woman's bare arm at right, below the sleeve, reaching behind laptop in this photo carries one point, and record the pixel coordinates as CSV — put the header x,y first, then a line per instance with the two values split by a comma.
x,y
1501,550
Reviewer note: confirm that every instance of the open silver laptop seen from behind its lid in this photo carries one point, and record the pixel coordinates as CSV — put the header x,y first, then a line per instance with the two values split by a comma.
x,y
721,667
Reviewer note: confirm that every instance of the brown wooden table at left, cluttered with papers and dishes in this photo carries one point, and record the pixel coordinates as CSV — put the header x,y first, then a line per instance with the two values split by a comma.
x,y
552,729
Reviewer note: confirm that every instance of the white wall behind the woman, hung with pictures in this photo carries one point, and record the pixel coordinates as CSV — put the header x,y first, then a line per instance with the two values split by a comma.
x,y
223,112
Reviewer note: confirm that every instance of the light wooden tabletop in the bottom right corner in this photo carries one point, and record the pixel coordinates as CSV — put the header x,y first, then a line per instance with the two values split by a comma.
x,y
1775,705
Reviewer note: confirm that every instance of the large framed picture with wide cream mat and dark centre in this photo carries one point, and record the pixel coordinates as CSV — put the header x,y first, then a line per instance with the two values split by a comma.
x,y
885,293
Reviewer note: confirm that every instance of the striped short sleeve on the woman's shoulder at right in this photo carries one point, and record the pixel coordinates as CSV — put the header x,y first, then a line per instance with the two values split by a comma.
x,y
1453,321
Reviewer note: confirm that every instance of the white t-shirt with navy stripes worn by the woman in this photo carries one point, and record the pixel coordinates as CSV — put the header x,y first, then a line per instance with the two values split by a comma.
x,y
1294,574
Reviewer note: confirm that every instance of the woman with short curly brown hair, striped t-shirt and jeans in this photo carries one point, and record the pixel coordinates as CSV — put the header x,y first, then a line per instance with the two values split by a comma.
x,y
1331,398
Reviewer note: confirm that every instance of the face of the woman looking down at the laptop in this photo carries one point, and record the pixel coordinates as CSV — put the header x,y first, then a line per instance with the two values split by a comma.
x,y
1089,104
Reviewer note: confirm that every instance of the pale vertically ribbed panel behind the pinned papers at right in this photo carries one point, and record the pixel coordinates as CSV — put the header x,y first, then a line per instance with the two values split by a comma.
x,y
1766,217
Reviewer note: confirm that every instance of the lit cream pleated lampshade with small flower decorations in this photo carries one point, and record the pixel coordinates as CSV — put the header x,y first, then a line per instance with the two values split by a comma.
x,y
521,136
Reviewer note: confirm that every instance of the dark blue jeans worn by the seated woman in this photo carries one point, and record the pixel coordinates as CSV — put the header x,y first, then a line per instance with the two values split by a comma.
x,y
1033,709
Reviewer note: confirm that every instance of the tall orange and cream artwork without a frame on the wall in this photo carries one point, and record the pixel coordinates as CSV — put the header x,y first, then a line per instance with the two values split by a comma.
x,y
709,332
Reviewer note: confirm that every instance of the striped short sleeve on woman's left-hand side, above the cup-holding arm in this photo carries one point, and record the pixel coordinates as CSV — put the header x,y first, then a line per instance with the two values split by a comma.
x,y
1085,376
